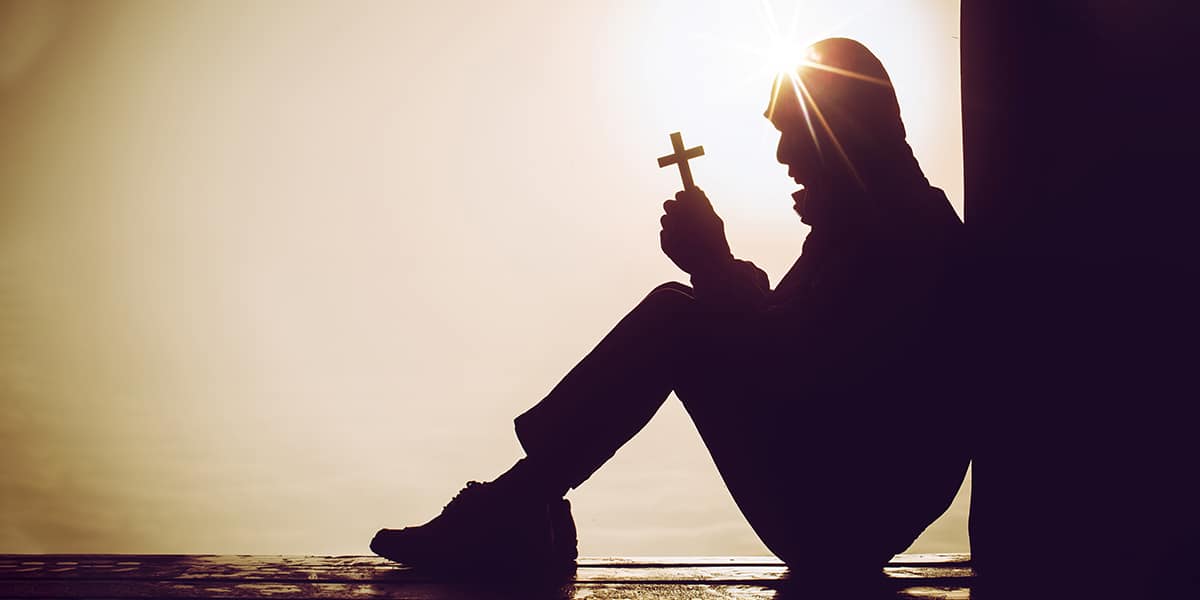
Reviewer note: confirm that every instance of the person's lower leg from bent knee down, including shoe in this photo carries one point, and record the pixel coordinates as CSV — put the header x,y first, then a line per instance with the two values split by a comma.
x,y
521,520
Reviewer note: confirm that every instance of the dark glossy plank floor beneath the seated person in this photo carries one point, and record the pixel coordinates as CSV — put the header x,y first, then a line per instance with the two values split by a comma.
x,y
121,577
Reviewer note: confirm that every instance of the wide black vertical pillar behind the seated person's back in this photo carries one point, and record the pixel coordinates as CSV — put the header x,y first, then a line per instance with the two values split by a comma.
x,y
1082,206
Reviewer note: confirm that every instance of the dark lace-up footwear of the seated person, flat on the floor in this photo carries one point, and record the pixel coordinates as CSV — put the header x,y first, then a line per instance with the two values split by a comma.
x,y
488,530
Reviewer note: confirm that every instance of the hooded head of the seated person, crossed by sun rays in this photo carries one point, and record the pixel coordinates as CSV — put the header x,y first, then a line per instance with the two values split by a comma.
x,y
839,122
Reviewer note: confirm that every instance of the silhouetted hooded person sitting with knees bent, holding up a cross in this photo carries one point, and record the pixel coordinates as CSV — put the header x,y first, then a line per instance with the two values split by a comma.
x,y
821,401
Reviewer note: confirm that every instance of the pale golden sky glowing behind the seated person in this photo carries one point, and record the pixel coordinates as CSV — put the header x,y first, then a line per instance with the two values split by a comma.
x,y
277,274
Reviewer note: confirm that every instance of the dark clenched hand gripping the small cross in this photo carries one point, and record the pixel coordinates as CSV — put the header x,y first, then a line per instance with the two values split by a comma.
x,y
693,236
